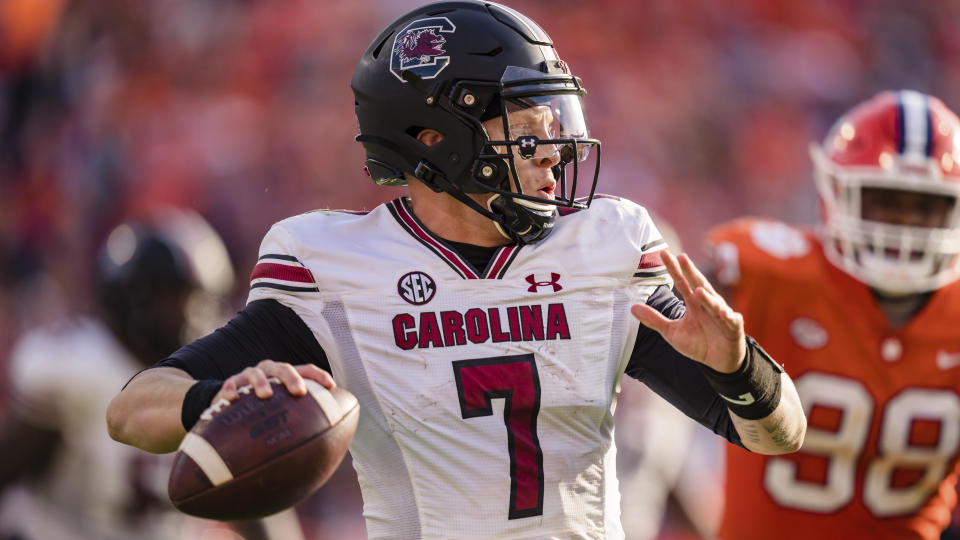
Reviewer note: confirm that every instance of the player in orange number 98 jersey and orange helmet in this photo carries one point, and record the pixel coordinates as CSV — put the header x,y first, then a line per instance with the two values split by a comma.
x,y
865,315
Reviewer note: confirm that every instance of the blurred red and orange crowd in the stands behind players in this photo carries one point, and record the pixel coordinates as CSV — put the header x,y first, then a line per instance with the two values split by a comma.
x,y
242,110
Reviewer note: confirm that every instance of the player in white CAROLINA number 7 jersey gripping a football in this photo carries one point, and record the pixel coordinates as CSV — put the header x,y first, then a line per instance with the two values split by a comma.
x,y
483,322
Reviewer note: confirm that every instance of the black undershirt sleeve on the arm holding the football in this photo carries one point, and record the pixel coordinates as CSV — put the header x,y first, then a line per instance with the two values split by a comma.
x,y
264,329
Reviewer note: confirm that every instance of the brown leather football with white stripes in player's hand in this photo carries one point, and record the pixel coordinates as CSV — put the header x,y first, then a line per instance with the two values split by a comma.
x,y
253,457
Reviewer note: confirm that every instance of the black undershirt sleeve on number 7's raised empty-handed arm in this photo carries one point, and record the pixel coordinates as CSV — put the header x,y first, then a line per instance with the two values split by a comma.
x,y
675,377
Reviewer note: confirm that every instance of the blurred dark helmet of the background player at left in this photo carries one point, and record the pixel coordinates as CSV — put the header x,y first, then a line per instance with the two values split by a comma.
x,y
159,281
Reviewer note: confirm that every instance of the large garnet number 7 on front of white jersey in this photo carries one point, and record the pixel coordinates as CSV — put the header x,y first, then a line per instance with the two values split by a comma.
x,y
514,379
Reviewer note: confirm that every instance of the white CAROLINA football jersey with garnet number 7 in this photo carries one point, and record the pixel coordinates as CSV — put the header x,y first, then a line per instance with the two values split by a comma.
x,y
486,395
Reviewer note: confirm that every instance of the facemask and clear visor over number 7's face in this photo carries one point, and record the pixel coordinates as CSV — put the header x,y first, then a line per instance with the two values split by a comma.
x,y
537,134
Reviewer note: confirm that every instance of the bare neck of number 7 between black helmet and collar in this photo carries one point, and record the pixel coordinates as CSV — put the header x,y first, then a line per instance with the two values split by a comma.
x,y
452,220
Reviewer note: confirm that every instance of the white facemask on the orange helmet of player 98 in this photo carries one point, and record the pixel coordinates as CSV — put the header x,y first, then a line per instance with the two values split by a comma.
x,y
893,258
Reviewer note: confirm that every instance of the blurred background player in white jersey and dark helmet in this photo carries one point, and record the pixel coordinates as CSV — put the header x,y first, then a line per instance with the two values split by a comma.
x,y
67,480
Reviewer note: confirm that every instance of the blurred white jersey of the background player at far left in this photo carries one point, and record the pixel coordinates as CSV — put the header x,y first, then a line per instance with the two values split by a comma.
x,y
63,377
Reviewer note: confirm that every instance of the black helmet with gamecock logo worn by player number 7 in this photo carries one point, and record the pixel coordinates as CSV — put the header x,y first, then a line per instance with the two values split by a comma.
x,y
449,66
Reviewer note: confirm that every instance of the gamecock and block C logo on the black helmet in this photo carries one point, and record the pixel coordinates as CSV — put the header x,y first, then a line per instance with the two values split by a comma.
x,y
419,48
